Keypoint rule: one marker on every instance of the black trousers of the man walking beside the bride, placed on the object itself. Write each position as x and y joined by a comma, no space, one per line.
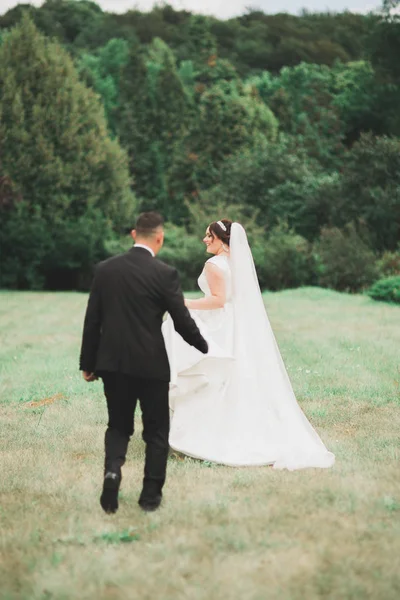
122,393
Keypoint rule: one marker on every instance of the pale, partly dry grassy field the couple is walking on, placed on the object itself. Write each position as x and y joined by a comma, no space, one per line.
222,533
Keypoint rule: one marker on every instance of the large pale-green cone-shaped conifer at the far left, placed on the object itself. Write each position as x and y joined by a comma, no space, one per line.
56,153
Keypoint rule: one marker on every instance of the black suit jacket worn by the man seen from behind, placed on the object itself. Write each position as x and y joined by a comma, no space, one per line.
122,330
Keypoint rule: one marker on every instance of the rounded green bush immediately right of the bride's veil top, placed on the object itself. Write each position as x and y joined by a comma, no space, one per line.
285,260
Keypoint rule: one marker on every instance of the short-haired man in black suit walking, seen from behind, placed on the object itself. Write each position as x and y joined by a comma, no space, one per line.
123,344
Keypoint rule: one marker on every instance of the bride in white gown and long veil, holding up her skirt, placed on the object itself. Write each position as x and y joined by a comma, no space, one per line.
236,406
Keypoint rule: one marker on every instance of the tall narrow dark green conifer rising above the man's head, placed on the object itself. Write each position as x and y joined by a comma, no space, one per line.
153,118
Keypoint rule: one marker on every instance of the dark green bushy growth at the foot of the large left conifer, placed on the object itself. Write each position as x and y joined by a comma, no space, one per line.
37,254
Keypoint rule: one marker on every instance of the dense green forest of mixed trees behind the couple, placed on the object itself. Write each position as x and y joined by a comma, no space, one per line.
290,124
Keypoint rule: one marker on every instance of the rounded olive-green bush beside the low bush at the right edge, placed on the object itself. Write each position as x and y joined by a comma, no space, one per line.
344,260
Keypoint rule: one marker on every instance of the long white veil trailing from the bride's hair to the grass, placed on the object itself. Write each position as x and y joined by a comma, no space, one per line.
260,374
